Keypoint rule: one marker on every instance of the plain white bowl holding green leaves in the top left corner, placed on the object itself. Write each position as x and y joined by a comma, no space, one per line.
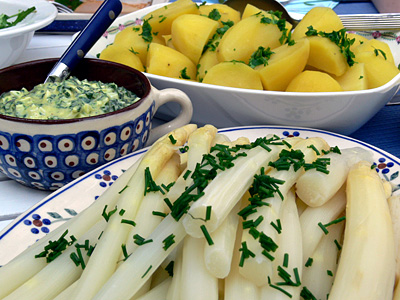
14,40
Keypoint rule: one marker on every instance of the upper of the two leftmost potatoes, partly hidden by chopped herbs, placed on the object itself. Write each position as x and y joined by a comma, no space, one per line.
131,38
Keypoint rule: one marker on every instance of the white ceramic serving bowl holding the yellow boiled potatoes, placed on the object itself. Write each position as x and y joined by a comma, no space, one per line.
342,112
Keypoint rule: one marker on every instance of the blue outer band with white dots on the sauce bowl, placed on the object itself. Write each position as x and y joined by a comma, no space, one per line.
48,161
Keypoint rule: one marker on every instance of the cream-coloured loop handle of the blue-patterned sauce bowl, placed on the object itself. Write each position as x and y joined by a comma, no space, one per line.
185,115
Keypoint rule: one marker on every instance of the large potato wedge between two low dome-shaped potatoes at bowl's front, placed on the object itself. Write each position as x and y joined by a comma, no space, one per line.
285,64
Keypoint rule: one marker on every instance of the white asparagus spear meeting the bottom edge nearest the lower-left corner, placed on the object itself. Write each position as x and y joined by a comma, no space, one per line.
59,273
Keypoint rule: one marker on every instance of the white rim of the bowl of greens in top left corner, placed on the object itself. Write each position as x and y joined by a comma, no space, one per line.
45,14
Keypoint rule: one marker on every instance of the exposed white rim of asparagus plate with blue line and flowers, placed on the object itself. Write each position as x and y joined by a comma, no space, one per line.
66,202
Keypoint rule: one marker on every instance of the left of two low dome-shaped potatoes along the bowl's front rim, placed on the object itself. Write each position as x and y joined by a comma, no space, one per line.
233,74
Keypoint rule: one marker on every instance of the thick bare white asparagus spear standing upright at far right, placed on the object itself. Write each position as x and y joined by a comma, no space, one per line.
367,263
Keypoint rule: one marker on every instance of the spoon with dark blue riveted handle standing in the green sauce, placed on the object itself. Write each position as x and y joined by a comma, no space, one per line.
91,33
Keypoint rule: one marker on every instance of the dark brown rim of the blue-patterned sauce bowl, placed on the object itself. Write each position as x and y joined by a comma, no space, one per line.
143,77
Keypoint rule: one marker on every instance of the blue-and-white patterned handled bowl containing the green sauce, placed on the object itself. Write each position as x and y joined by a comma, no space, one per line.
47,154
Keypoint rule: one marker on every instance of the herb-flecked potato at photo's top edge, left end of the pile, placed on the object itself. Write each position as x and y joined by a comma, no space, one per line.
161,19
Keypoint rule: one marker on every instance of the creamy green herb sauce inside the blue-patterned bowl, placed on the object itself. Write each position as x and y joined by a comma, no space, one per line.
69,99
